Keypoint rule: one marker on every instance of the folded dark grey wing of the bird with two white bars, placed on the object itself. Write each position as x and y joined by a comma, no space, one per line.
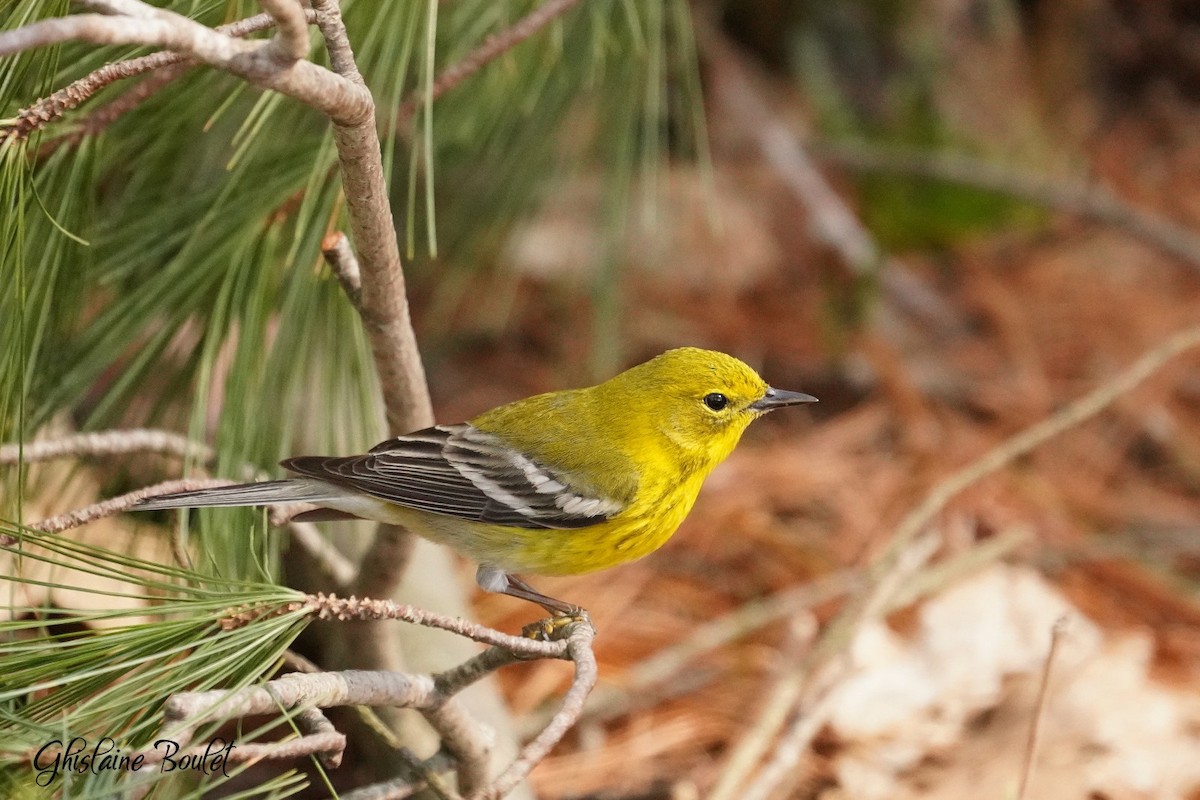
463,472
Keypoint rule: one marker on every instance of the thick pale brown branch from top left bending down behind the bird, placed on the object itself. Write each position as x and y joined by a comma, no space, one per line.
345,99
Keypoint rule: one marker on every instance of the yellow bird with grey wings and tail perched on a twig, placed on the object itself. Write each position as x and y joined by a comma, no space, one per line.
565,483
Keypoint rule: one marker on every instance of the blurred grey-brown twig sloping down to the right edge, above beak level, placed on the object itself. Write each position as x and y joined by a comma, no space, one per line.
1090,202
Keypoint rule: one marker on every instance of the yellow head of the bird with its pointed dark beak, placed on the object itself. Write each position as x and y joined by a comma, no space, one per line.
703,400
